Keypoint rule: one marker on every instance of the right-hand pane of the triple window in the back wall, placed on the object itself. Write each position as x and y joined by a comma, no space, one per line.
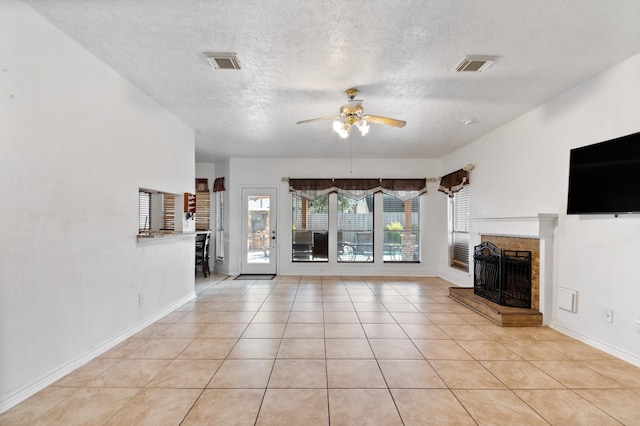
401,229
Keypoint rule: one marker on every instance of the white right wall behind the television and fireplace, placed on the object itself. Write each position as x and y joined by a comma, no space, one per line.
522,169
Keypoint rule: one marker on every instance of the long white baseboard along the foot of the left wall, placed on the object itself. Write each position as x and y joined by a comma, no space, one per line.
21,394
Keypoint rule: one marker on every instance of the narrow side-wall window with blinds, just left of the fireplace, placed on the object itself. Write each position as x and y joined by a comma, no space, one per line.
458,229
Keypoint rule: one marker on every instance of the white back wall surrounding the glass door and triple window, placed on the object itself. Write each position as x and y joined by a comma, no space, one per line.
266,172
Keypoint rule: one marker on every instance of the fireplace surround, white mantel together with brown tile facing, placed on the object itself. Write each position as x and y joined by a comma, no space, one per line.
533,233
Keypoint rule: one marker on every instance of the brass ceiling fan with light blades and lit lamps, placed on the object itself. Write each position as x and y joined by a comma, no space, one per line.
352,114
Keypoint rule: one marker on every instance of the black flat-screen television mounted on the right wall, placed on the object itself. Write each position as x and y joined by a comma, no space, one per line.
605,177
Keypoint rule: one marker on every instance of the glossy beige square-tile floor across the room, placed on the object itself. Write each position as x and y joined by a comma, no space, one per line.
339,351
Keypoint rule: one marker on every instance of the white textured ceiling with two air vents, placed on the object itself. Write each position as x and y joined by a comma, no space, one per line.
298,57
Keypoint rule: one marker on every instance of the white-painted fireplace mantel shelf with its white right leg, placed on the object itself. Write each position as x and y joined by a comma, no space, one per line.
541,227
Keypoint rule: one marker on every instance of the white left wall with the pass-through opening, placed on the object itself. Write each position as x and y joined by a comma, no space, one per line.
77,140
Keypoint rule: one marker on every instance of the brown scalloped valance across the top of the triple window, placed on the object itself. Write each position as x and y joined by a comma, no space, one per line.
402,189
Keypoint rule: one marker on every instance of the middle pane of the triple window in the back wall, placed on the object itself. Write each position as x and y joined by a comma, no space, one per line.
355,229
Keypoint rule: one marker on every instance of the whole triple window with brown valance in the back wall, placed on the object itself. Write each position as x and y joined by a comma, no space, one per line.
399,233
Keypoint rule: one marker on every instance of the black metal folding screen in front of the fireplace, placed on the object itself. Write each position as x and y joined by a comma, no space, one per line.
502,276
